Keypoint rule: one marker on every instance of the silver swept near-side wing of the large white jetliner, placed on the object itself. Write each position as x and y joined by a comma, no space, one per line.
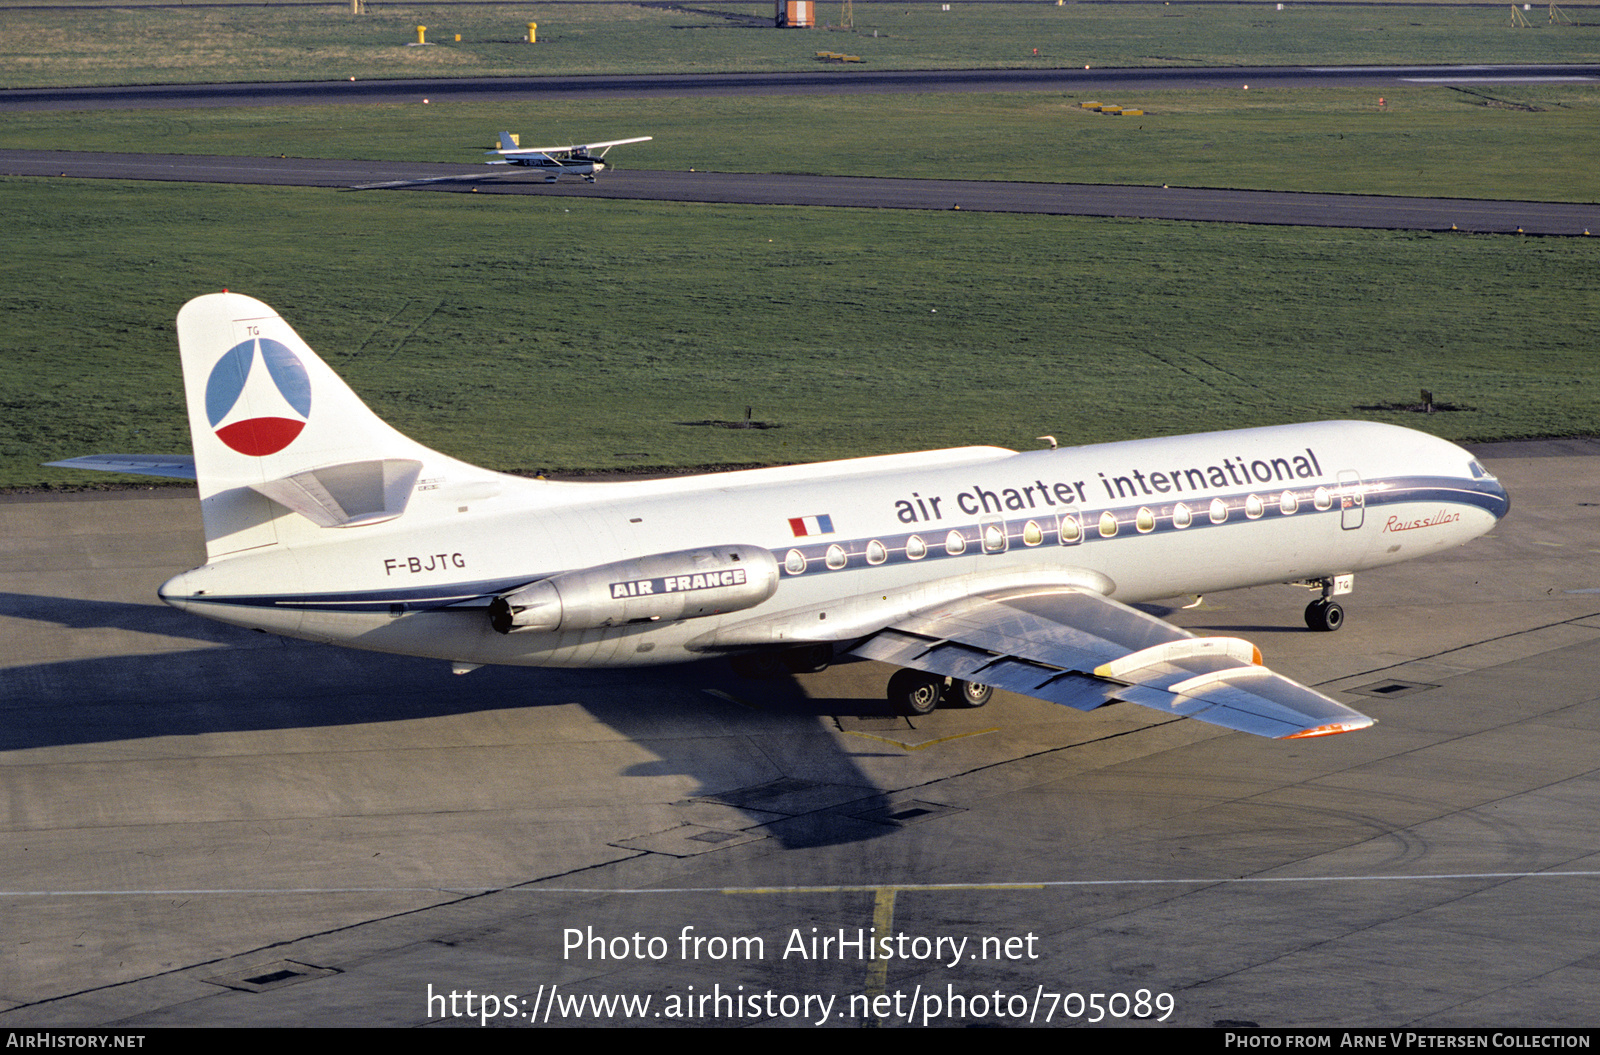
1081,649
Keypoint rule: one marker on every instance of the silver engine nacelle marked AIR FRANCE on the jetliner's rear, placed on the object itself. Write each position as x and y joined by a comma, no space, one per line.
660,588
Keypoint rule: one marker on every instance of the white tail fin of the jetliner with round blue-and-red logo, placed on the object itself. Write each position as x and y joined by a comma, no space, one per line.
284,449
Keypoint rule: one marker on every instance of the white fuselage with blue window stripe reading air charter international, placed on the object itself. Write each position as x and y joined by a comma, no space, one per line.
860,542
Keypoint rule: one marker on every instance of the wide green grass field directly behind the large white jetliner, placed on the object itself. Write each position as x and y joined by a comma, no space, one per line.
580,334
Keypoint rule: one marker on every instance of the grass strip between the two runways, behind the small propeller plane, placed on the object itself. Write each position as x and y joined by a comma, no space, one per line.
1482,142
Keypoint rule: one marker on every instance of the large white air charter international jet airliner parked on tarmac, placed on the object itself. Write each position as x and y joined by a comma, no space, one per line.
969,569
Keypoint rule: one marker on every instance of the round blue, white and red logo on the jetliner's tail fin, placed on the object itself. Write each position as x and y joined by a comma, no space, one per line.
278,404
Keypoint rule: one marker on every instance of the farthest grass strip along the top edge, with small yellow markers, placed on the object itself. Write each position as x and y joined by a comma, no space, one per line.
242,44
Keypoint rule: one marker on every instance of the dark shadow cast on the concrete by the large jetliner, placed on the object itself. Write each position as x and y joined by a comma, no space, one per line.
260,683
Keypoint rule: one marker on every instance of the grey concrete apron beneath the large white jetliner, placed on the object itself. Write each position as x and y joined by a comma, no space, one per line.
214,827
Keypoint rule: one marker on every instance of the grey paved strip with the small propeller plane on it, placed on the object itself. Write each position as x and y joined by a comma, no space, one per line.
1193,204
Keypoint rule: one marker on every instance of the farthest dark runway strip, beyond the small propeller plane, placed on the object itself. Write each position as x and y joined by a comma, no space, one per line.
809,82
